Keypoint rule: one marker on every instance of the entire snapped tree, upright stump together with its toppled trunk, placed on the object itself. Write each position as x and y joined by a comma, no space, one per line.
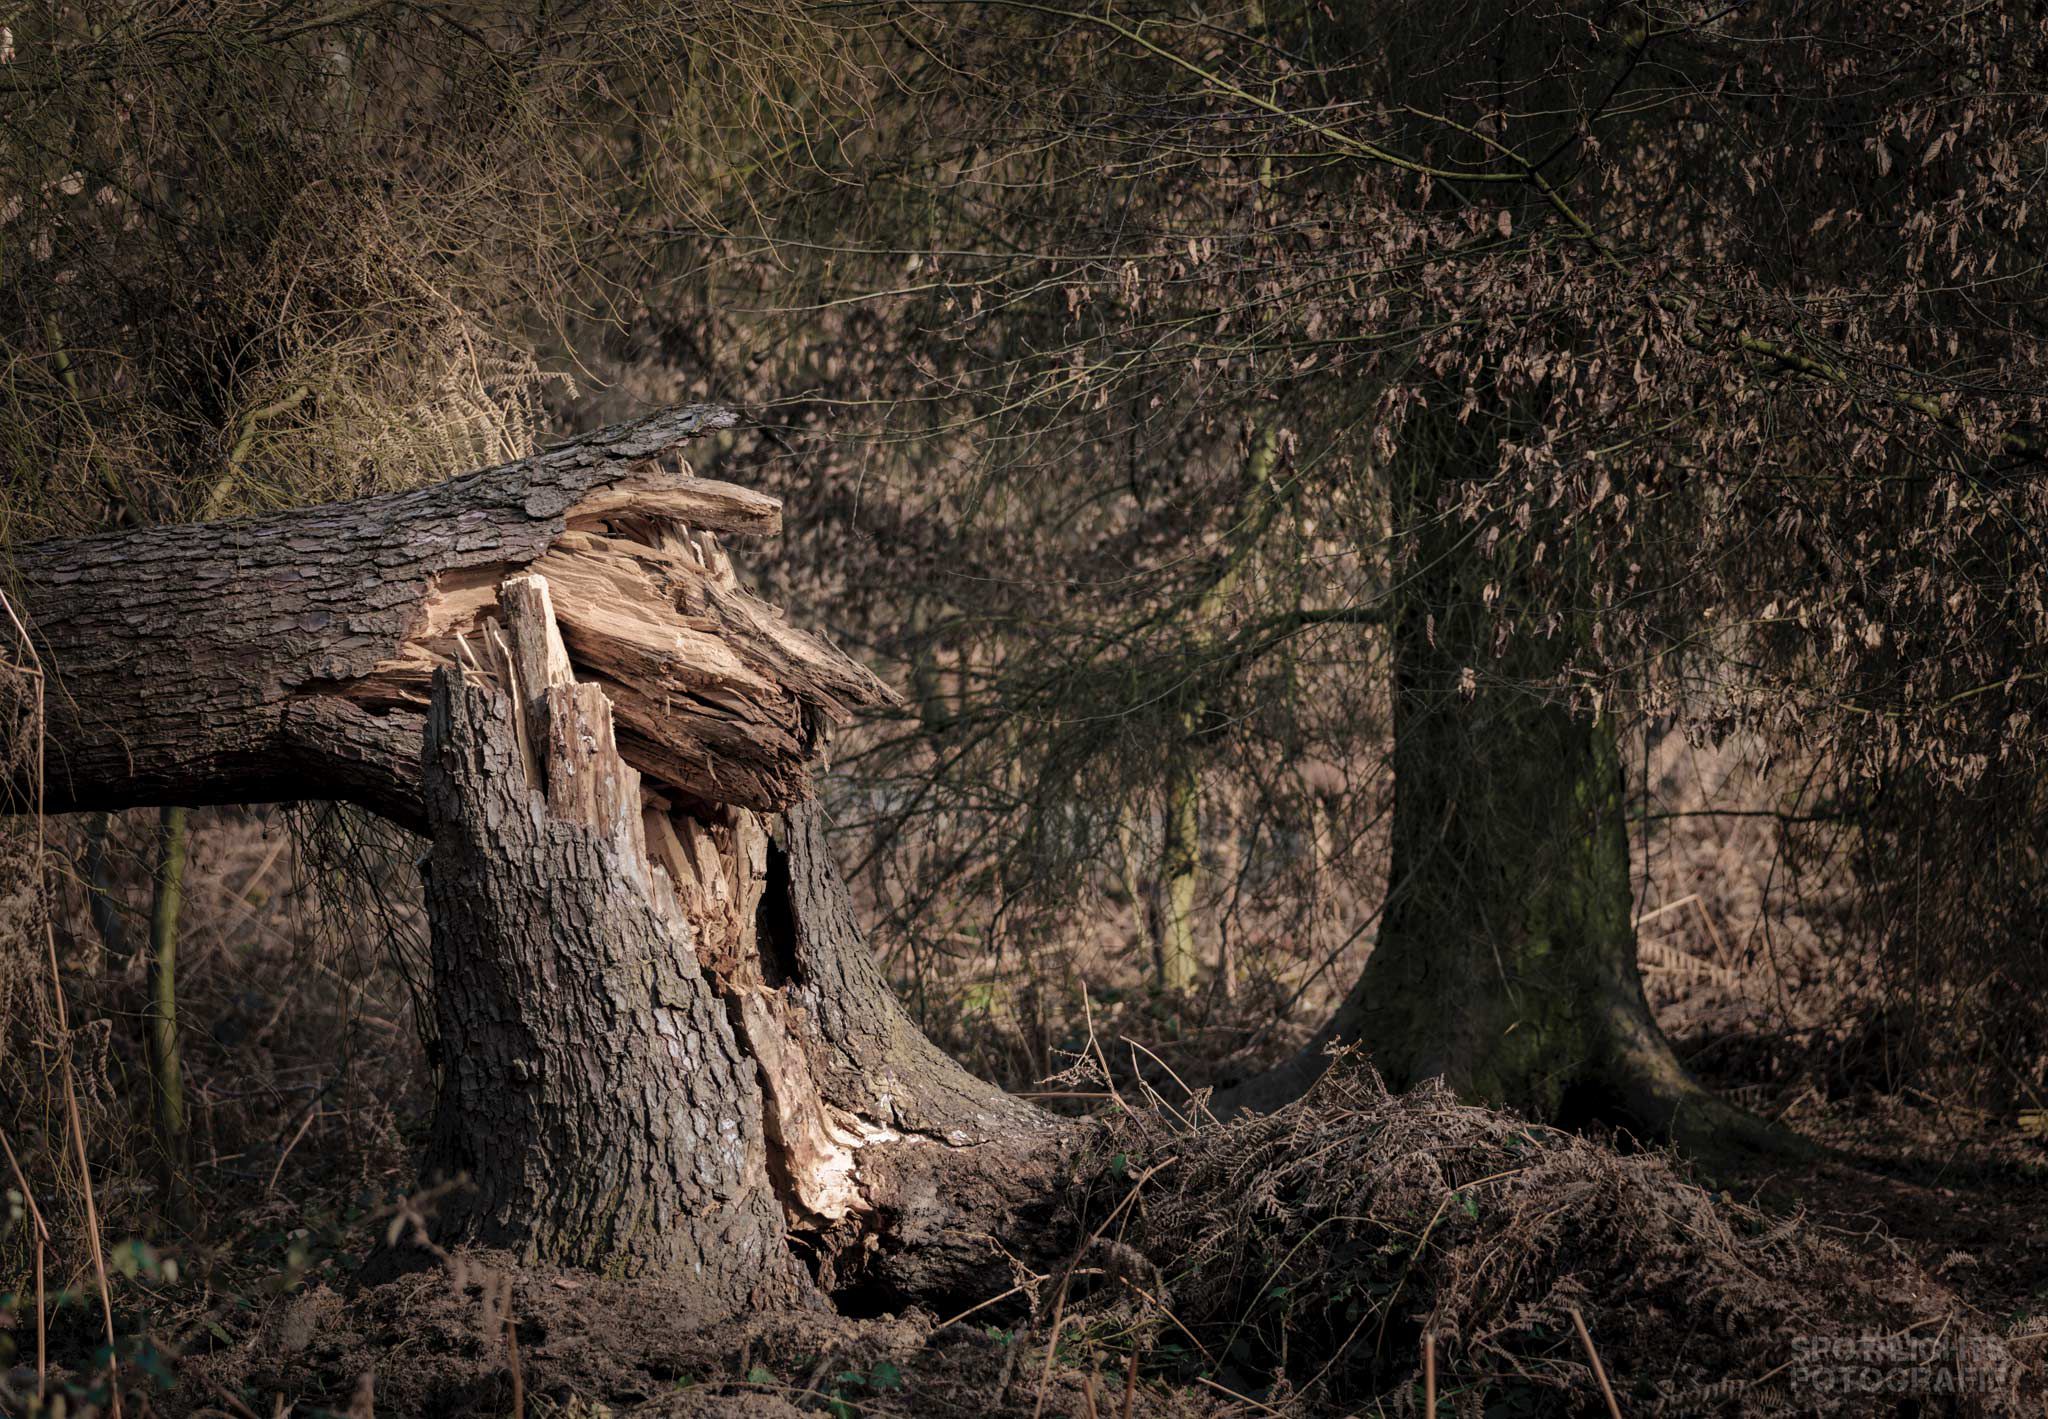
667,1045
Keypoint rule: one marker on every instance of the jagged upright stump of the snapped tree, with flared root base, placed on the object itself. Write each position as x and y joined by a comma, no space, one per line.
669,1047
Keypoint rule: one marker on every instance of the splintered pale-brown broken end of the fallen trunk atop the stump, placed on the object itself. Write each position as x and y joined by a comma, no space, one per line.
714,697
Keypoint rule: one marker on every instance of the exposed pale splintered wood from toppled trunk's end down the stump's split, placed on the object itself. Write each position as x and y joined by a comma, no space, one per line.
663,707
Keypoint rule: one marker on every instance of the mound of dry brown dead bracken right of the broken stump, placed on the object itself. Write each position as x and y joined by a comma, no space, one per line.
1328,1240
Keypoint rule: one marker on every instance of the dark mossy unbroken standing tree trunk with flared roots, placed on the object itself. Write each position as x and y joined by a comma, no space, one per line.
1506,959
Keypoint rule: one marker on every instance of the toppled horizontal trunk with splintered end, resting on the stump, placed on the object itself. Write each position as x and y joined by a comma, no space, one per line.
290,656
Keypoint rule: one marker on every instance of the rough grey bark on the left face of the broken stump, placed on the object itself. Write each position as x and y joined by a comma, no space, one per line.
593,1090
